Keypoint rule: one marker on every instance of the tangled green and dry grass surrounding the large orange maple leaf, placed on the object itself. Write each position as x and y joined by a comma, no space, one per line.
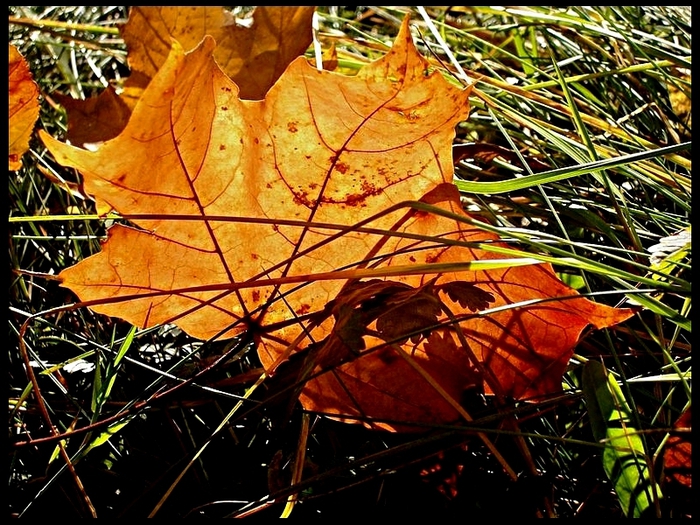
577,149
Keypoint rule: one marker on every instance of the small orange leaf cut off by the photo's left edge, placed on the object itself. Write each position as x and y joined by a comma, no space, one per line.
24,107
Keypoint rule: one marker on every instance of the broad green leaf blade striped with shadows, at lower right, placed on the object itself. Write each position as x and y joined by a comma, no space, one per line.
624,455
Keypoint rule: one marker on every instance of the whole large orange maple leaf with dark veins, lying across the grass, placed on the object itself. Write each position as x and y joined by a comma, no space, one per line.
265,216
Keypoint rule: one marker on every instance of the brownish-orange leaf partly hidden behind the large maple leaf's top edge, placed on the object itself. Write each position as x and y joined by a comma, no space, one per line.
254,57
